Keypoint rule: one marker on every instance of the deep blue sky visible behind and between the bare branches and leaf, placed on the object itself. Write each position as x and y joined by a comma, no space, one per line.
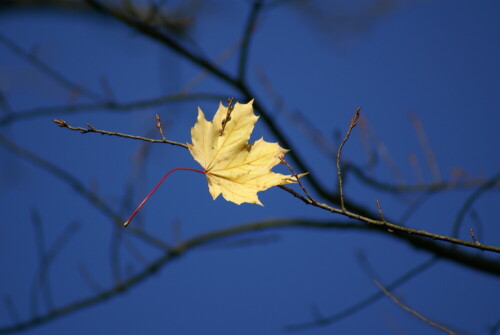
437,60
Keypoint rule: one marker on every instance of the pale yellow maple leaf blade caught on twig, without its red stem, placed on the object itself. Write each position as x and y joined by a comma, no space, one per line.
234,168
